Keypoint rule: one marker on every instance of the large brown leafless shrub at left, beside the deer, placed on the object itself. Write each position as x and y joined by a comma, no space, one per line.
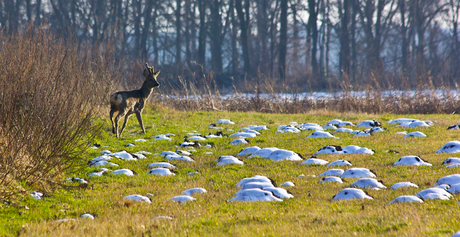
50,93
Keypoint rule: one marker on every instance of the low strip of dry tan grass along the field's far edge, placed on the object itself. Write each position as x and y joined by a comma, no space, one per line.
419,102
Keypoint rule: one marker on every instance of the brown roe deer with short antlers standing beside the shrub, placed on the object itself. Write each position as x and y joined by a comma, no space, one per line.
130,102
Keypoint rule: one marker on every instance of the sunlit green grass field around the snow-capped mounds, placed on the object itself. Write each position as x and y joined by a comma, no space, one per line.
311,212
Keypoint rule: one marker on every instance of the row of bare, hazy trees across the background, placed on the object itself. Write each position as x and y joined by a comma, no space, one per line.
312,44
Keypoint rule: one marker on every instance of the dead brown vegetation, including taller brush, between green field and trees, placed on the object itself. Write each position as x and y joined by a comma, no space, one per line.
266,97
